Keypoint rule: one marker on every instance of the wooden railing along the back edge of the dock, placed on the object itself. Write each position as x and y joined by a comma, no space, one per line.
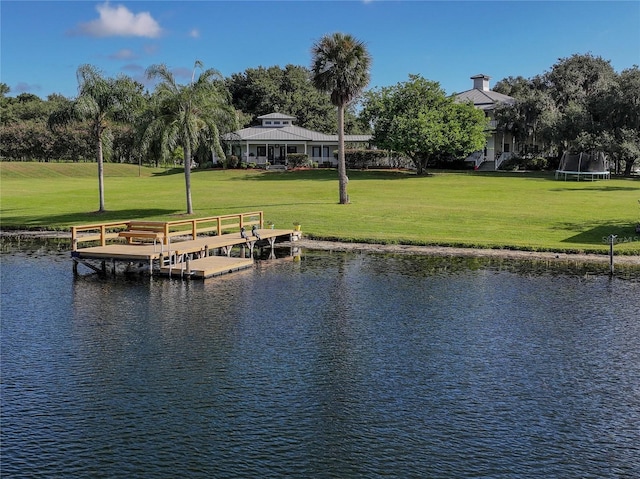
218,225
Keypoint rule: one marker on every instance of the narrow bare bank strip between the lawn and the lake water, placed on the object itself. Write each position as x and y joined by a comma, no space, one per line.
628,260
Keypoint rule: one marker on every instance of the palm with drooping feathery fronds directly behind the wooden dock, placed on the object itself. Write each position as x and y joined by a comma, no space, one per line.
189,115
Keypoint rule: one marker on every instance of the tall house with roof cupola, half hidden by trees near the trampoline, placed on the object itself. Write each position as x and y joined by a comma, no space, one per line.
499,145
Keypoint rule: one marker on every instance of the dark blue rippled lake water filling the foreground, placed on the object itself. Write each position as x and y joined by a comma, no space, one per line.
329,366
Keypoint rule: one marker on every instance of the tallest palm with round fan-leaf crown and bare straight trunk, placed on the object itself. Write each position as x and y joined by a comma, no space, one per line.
340,66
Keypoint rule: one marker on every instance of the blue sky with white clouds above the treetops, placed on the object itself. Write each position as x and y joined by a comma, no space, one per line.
44,42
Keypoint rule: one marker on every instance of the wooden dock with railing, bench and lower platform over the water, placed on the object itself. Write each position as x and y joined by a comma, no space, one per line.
201,248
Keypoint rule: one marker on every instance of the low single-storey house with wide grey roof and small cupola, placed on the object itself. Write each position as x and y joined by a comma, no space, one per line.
277,136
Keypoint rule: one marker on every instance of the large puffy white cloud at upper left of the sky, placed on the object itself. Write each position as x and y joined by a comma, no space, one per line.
119,21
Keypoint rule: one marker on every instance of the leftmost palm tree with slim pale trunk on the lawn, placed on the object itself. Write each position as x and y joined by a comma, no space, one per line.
100,101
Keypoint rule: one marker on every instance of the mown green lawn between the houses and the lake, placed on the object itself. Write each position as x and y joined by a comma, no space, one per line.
522,211
